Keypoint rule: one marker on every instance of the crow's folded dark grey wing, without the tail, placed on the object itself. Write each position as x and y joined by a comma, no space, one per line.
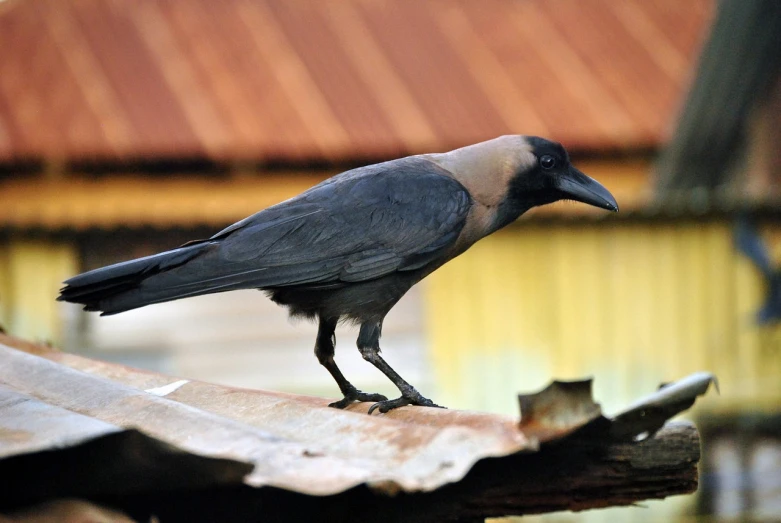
396,216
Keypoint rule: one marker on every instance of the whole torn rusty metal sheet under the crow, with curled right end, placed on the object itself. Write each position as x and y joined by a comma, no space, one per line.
292,442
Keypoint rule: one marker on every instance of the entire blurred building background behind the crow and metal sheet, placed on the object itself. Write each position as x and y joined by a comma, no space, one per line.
131,127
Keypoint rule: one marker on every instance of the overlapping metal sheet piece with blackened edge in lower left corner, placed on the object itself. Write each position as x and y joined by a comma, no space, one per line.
52,453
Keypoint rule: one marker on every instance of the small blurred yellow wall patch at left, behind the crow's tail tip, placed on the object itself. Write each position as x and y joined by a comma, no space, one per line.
31,273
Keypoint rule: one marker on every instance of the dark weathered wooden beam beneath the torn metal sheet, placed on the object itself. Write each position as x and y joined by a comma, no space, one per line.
573,474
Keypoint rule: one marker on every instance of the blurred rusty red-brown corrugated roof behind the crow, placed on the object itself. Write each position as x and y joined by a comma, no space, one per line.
299,80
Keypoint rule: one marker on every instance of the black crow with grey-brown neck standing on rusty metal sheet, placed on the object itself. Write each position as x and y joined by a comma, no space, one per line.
347,249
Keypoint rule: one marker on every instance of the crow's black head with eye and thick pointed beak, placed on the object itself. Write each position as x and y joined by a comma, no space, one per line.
546,176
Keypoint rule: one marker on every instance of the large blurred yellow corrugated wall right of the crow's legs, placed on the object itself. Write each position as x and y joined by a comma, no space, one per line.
631,303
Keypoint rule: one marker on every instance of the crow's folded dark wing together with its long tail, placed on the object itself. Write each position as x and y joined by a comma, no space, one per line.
359,226
